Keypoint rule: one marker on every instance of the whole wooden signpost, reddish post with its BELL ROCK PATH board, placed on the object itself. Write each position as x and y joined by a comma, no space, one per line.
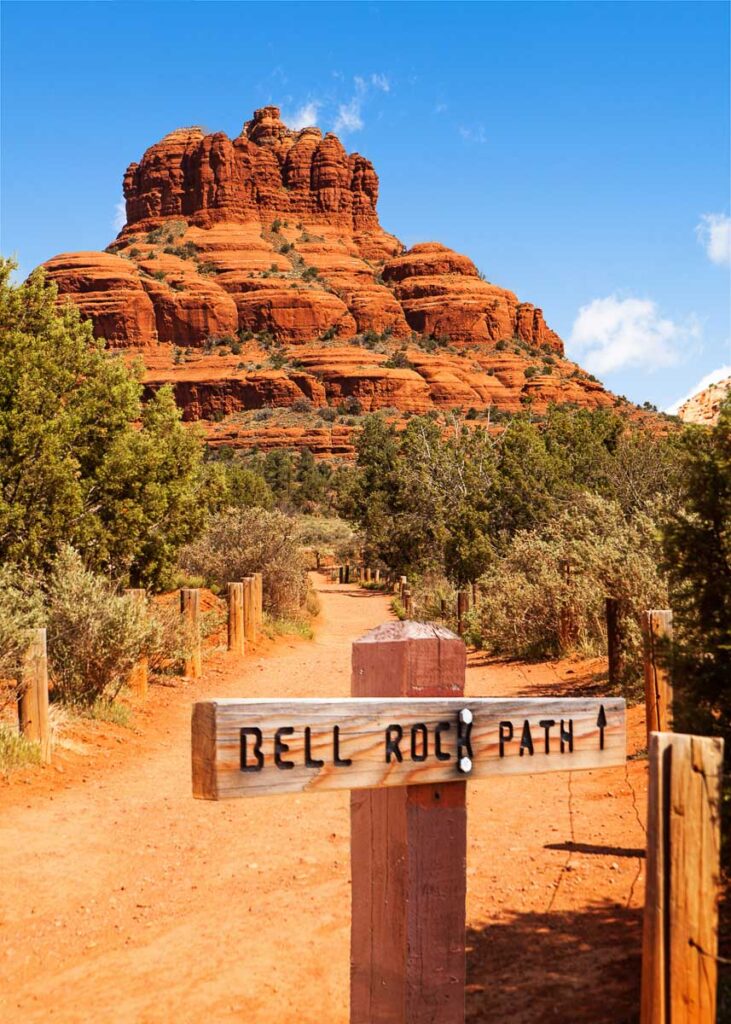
406,744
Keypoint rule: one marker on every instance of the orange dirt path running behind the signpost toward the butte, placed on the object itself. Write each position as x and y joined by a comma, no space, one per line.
122,900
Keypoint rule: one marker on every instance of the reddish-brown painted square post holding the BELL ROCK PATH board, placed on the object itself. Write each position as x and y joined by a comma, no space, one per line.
408,850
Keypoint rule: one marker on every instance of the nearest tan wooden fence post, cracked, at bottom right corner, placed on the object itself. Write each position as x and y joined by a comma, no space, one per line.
680,936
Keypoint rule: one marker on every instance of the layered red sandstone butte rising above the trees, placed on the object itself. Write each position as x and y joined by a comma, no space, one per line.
253,274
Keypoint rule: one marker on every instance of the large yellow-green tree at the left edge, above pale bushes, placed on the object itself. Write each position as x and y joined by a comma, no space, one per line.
82,460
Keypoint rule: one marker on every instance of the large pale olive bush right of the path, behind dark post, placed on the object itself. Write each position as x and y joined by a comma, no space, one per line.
546,595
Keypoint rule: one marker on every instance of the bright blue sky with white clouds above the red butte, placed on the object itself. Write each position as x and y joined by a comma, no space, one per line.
578,152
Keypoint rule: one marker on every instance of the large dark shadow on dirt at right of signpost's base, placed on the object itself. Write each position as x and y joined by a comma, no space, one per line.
577,967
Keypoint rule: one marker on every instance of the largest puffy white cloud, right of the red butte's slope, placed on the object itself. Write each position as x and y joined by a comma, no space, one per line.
615,334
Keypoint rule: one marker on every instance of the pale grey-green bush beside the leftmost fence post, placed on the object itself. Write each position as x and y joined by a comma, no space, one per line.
96,635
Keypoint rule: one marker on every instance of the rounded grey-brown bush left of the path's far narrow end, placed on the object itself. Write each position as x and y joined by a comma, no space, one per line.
240,542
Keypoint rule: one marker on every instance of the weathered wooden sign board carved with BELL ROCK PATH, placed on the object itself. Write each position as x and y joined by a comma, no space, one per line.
251,748
